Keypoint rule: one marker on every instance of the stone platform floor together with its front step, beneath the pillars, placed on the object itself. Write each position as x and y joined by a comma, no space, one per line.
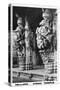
32,75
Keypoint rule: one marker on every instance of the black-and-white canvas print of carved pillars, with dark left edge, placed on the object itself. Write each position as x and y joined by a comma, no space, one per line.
32,45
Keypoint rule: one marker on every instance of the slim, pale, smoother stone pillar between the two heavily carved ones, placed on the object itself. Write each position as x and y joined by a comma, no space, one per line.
28,48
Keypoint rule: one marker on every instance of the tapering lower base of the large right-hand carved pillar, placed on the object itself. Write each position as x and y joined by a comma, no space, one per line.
49,60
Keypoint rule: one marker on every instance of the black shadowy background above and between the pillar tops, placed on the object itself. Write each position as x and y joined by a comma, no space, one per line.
34,16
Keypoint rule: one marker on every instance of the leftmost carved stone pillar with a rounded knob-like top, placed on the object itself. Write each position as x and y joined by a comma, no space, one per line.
18,44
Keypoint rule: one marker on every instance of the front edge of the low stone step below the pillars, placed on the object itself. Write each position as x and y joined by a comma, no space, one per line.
34,77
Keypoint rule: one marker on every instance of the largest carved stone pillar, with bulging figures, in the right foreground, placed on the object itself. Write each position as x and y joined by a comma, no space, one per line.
46,38
